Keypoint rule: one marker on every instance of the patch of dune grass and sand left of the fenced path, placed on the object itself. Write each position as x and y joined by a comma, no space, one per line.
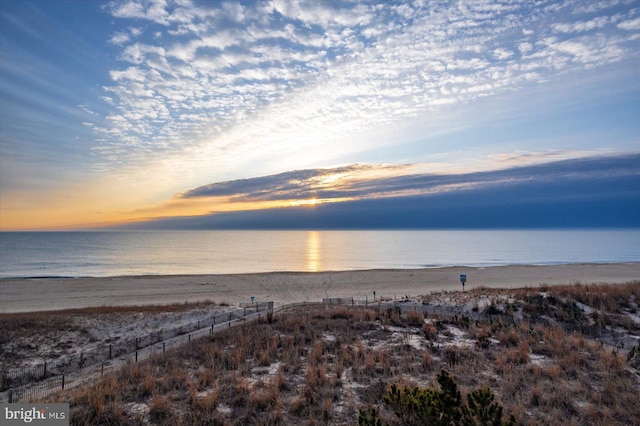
28,339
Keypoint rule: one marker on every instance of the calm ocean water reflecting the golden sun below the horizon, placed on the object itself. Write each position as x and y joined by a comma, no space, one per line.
76,254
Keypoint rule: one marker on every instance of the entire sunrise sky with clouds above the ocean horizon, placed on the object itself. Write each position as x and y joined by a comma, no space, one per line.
161,114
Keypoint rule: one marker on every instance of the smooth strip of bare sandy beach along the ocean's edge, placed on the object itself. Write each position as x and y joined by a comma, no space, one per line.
25,295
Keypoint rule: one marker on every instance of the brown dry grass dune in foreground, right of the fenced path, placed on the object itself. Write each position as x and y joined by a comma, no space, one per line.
319,365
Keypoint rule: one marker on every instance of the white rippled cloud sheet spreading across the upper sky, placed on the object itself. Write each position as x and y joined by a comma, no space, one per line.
272,78
